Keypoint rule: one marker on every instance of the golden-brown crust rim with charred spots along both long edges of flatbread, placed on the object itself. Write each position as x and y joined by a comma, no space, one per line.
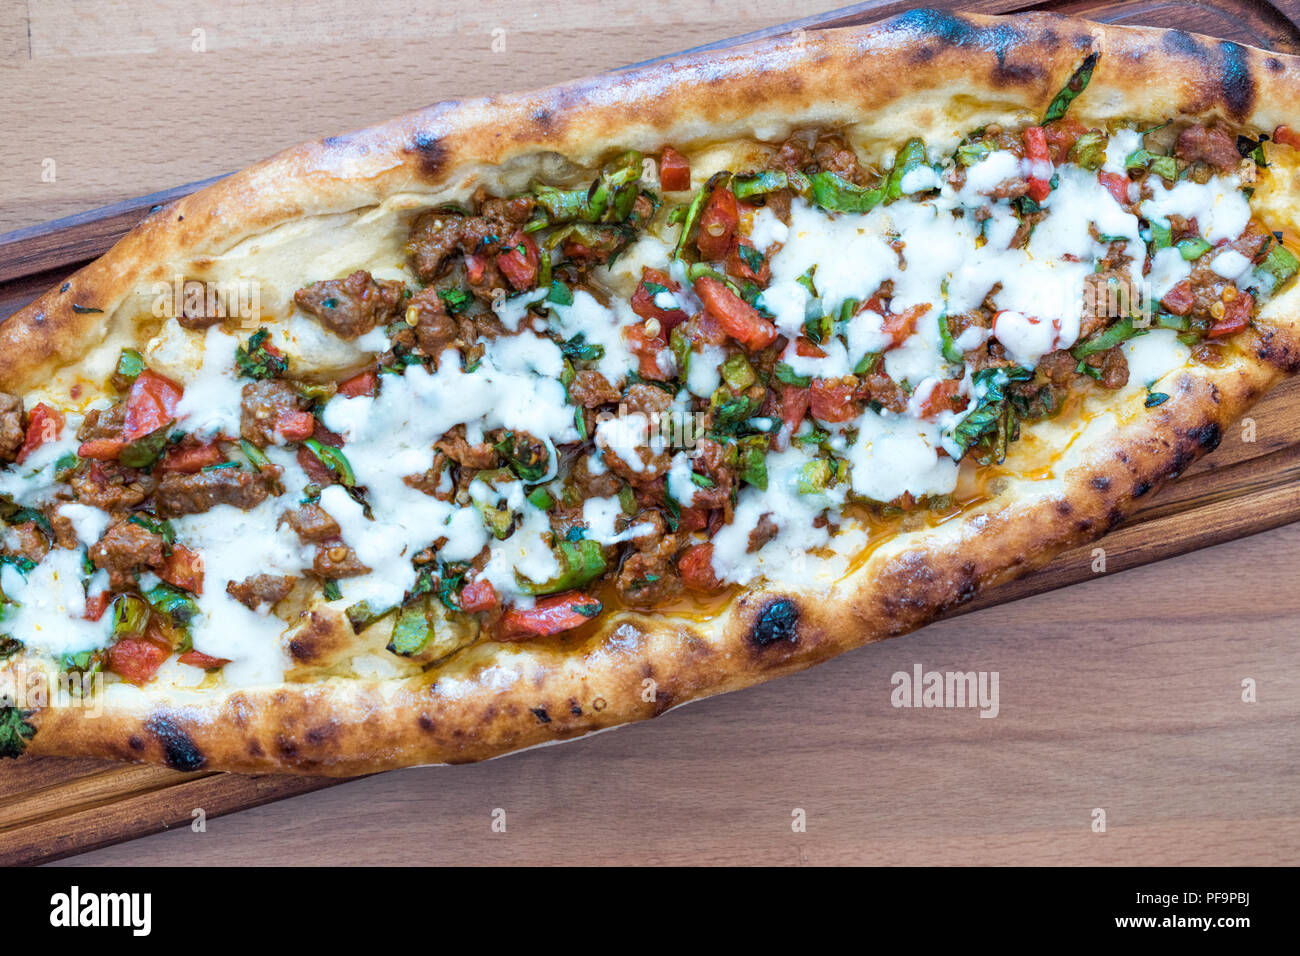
922,71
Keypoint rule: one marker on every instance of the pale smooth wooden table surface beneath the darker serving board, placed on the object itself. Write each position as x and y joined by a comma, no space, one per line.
1124,694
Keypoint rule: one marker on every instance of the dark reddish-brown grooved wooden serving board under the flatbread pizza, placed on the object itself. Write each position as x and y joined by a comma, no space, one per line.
51,808
